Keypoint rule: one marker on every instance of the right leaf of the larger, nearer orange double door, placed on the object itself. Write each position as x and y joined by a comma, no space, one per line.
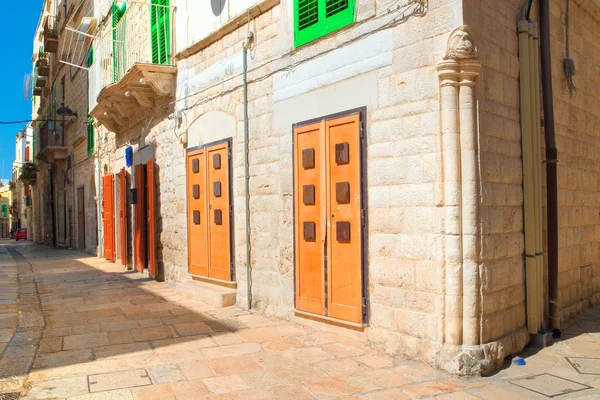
344,247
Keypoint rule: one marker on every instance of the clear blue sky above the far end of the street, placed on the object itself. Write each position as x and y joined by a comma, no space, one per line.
16,49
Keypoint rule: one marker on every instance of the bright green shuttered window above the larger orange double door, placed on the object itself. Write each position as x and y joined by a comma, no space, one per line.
316,18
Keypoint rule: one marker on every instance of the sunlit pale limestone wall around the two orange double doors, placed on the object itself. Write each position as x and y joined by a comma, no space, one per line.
390,71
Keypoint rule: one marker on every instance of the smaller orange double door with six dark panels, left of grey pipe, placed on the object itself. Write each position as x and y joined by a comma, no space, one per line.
209,212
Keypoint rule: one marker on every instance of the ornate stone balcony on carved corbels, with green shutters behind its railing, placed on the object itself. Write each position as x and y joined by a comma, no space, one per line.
133,69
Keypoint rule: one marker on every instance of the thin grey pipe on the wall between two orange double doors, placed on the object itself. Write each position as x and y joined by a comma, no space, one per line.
245,49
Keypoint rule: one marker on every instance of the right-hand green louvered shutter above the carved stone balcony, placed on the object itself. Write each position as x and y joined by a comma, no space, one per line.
160,32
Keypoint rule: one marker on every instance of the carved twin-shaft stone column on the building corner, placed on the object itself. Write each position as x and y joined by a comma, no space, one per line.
458,76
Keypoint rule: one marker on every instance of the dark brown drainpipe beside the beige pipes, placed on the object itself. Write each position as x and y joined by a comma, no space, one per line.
551,172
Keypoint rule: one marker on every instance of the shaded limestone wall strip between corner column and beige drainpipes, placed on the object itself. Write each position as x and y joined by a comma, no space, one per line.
502,249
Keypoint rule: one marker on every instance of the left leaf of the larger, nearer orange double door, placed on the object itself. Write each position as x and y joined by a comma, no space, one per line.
309,217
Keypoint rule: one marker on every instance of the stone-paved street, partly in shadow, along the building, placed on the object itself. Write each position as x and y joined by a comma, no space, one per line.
78,327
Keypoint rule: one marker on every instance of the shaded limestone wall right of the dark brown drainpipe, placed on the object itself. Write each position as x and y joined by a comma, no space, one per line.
577,120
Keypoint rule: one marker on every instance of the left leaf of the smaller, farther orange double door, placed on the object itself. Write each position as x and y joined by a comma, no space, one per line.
197,211
